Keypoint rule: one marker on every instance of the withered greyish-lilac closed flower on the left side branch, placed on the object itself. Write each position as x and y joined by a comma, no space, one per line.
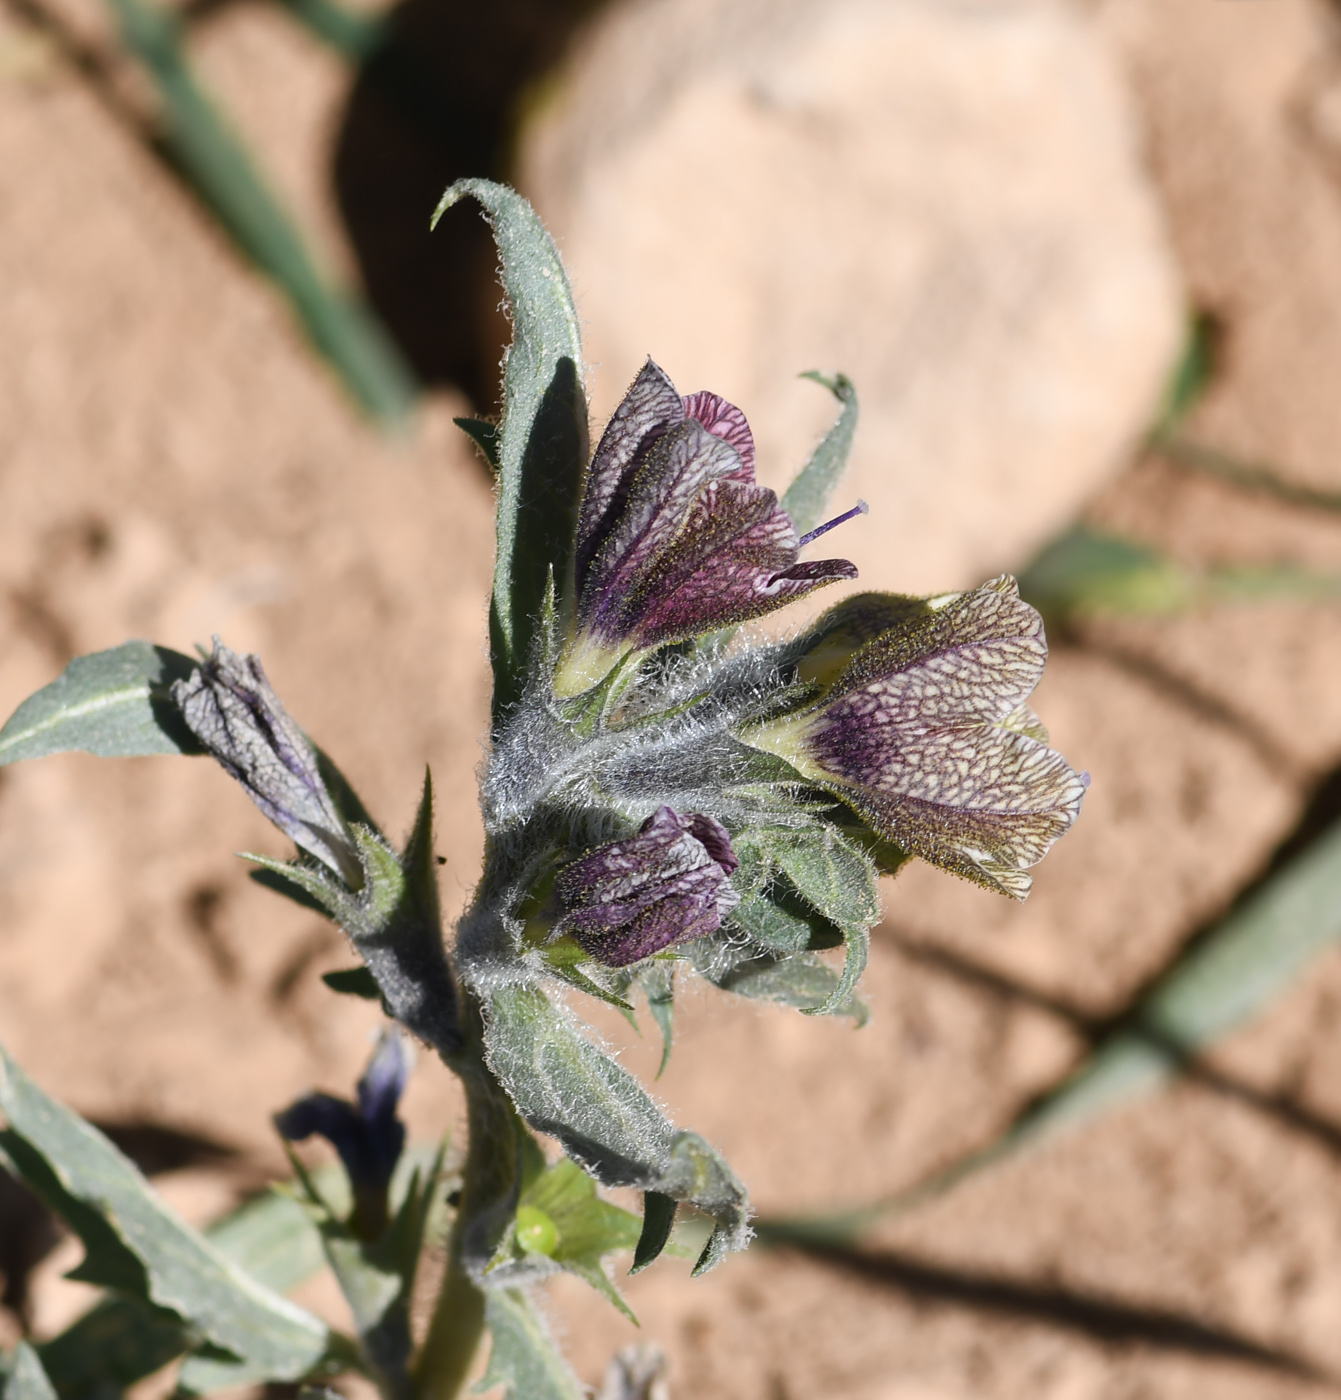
230,708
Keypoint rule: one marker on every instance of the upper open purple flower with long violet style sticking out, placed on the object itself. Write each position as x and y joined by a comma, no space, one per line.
675,538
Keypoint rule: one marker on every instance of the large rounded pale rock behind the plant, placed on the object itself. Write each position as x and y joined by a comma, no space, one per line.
941,198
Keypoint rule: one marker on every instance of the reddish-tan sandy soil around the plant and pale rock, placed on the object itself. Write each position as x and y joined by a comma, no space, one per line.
174,463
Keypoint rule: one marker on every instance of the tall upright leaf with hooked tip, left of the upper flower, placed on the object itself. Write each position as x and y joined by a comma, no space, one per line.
542,439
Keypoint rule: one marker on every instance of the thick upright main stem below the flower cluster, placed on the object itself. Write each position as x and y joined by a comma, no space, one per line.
491,1185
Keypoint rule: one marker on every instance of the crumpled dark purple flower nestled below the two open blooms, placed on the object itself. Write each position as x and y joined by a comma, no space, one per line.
635,898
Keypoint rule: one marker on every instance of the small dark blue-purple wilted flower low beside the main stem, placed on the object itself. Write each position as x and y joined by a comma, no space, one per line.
367,1135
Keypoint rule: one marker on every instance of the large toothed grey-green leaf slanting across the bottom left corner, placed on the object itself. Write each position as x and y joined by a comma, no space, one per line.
136,1245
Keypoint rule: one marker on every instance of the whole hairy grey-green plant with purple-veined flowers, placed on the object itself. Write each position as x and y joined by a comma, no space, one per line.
666,799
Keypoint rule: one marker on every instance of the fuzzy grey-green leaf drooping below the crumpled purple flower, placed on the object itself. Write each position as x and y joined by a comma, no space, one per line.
605,1121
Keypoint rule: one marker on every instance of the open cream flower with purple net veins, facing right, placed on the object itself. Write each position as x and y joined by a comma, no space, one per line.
922,727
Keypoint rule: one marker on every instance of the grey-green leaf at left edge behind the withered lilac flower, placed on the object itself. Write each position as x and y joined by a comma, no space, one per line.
113,703
